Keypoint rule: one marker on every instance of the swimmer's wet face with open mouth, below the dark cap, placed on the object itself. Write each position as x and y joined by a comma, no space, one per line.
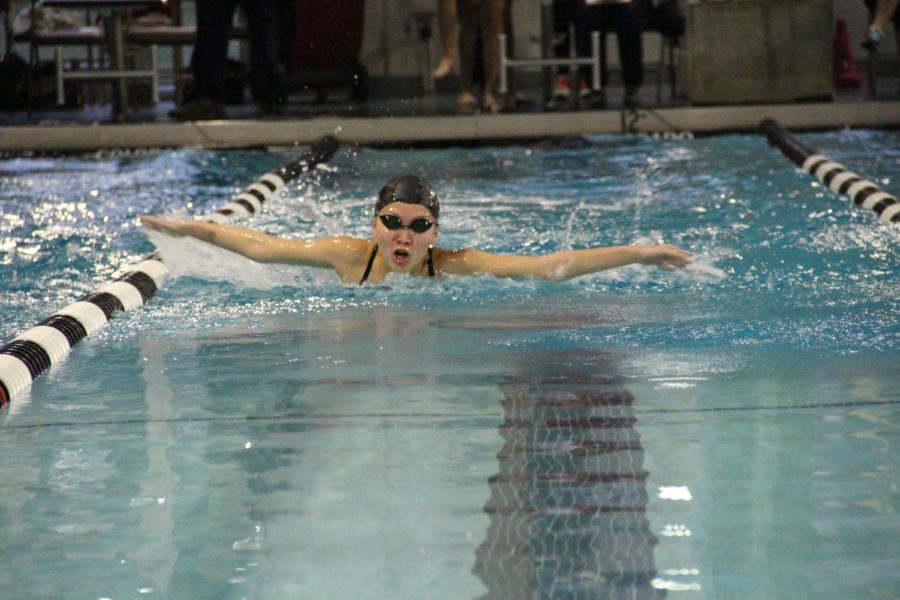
403,249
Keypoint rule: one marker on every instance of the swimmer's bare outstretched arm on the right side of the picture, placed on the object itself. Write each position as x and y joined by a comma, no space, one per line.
560,266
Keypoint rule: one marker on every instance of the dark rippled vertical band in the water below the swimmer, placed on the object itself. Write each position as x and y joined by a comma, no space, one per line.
567,507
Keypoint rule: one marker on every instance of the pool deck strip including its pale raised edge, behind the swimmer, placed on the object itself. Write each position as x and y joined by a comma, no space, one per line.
424,121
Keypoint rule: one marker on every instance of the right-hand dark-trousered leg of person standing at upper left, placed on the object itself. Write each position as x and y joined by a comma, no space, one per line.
266,77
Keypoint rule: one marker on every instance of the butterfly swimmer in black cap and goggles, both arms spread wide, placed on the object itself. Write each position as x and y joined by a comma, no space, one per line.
404,233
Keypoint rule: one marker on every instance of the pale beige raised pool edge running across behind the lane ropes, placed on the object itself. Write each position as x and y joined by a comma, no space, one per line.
424,130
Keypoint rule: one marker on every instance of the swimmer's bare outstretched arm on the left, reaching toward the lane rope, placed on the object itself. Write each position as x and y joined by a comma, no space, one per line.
339,253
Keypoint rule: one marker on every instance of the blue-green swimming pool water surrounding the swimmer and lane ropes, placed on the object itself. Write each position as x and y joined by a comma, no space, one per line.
728,431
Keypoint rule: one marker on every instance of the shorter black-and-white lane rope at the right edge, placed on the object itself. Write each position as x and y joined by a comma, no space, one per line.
836,177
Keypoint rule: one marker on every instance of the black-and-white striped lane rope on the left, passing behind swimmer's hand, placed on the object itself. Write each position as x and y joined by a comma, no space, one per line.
49,342
